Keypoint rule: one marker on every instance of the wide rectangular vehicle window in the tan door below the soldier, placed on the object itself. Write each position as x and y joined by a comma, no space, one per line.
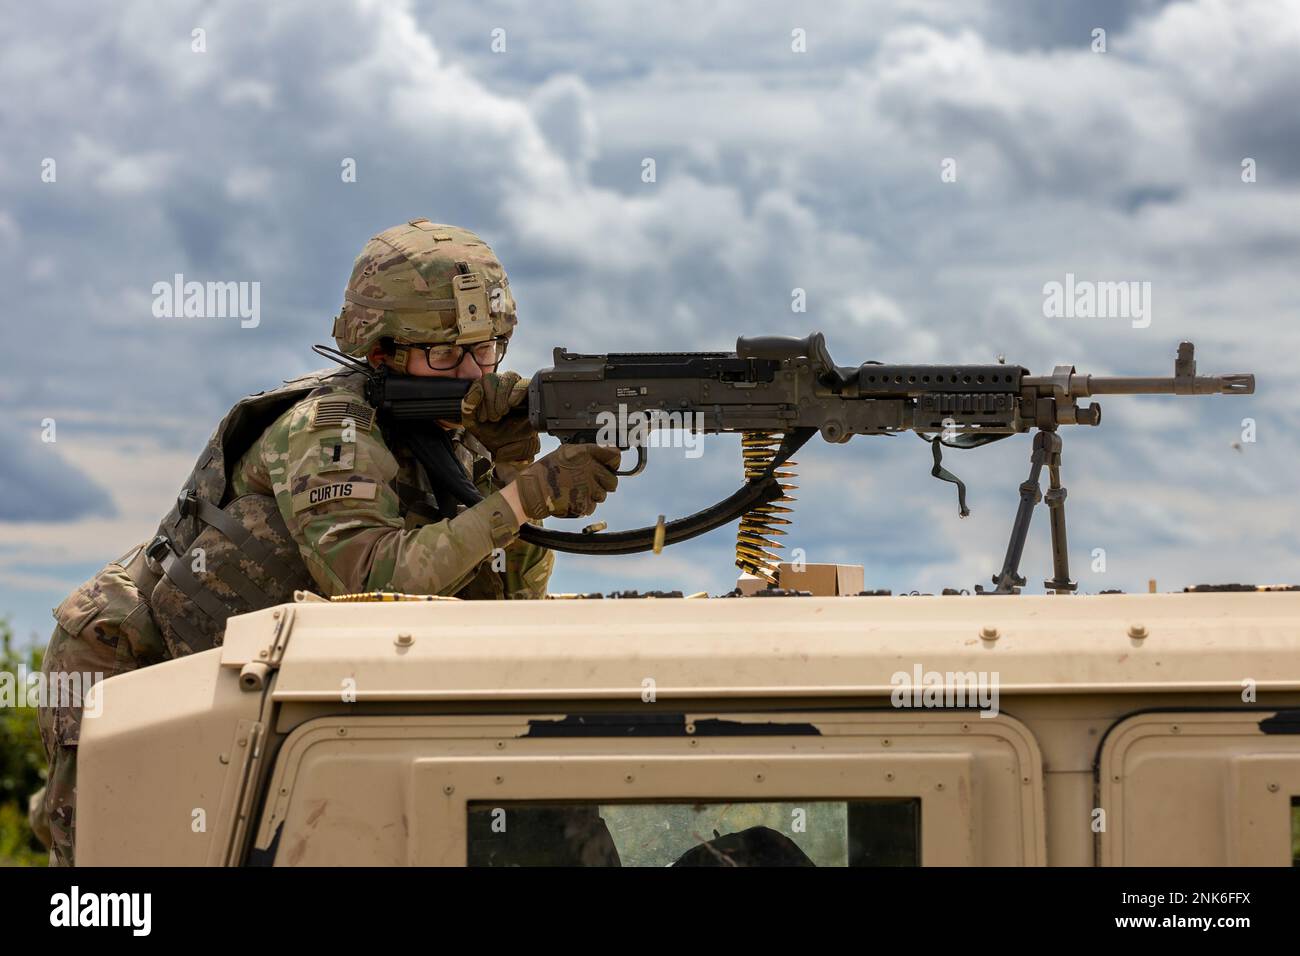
792,833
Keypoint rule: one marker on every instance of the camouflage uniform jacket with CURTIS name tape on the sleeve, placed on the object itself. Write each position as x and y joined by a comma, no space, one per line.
361,509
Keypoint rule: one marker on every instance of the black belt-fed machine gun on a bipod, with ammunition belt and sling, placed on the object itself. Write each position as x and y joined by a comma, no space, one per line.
777,392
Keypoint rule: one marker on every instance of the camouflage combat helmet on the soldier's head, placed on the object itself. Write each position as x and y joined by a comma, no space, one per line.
424,284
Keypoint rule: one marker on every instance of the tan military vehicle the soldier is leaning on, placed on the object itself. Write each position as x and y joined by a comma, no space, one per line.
943,730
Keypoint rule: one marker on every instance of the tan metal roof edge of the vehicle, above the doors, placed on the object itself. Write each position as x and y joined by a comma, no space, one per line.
821,647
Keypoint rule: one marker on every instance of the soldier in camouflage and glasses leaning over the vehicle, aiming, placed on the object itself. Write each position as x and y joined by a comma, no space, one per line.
304,487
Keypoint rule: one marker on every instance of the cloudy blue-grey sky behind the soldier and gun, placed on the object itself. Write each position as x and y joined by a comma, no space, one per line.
777,168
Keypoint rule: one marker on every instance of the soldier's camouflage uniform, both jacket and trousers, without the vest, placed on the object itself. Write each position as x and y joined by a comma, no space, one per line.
359,514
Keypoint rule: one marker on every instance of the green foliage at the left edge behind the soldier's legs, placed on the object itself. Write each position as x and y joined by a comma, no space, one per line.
23,763
